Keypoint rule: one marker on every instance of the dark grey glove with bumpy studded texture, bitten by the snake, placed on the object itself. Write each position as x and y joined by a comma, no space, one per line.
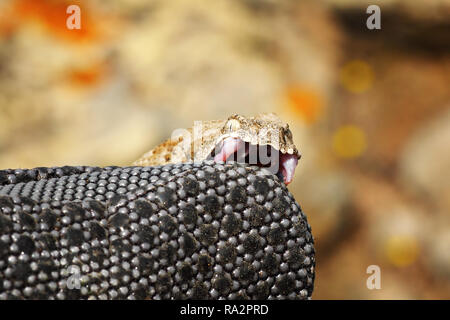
187,231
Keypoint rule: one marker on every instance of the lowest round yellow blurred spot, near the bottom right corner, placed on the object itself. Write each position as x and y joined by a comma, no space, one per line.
402,250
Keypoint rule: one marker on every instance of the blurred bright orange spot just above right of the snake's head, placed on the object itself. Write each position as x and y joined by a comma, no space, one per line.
306,102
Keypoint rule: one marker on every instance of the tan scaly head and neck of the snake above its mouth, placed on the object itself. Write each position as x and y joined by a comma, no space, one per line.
197,143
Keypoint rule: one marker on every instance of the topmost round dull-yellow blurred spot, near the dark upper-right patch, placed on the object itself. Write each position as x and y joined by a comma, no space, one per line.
357,76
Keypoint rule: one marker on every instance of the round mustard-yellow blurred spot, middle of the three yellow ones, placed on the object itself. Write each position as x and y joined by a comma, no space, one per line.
349,142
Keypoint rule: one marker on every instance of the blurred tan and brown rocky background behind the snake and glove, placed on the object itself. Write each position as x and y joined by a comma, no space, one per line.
369,110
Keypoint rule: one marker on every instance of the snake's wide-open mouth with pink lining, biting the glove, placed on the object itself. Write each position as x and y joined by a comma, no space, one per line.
235,149
